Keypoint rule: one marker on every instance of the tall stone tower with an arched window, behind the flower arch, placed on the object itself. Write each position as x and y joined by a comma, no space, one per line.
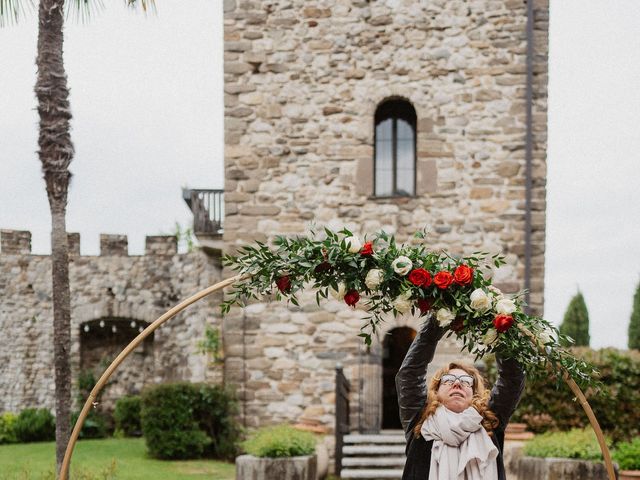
376,114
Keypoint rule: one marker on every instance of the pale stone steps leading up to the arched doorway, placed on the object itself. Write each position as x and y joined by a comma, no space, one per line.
374,456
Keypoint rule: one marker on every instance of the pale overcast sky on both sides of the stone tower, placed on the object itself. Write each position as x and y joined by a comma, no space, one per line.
146,96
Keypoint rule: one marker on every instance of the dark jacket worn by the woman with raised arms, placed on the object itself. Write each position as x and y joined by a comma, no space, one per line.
411,385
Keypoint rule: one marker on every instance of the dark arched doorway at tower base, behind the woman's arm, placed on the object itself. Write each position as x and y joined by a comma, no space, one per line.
395,347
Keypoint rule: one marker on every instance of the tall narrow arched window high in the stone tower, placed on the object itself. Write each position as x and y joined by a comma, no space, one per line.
395,149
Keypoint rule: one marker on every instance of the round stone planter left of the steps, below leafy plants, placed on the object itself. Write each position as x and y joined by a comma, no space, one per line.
249,467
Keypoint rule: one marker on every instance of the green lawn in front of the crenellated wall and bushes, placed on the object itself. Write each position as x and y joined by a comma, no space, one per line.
110,459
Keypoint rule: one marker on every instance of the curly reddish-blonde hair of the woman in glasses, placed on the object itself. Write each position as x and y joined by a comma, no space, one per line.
479,401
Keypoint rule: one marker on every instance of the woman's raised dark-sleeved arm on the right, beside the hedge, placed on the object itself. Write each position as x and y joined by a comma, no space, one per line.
507,391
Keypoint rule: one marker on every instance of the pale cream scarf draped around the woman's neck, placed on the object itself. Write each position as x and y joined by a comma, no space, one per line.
462,448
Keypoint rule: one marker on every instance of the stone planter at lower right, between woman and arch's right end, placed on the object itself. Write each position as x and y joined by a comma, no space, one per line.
564,468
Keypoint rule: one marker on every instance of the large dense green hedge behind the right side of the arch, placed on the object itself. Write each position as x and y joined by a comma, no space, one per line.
544,407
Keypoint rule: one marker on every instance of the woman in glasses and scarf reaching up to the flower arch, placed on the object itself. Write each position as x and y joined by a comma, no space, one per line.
455,430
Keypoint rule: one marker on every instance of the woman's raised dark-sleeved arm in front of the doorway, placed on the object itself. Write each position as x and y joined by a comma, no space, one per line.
411,384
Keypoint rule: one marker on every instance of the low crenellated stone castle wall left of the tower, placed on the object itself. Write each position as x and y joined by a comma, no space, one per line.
114,289
